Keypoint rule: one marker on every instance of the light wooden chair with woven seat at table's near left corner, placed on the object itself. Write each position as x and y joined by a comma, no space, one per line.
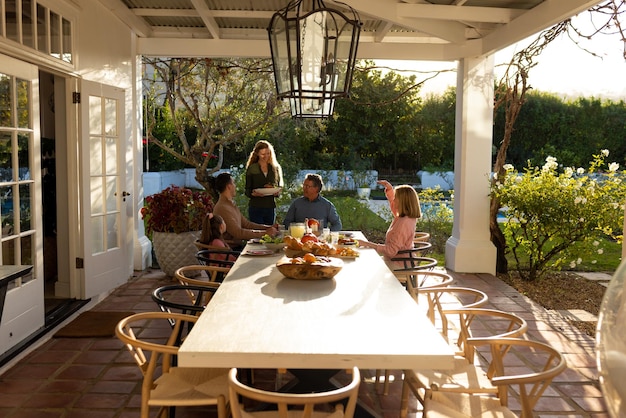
165,385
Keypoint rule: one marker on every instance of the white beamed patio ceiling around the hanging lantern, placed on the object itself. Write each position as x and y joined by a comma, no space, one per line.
442,30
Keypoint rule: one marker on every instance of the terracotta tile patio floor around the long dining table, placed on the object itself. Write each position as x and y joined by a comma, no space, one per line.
89,377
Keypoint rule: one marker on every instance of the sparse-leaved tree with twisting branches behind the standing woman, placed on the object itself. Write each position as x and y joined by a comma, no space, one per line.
210,105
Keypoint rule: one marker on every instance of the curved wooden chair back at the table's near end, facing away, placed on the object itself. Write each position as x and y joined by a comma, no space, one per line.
294,405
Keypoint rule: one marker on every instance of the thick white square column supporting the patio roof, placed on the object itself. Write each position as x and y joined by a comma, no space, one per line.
469,249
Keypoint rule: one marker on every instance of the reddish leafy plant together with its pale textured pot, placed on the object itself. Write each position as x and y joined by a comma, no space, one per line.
173,220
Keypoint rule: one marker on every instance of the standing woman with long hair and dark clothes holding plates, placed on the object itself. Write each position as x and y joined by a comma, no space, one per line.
262,170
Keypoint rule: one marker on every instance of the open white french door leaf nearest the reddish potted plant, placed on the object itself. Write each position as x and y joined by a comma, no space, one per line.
104,216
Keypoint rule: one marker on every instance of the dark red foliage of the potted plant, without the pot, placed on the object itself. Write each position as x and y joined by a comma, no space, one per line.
176,209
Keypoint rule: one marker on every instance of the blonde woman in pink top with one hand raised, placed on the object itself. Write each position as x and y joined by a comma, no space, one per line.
405,207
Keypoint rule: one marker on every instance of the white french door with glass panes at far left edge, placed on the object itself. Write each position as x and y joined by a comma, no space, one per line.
20,199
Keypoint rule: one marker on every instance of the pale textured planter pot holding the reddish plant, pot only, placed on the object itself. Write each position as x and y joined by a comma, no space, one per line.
175,250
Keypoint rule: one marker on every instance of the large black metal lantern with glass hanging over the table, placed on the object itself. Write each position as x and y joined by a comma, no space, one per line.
313,55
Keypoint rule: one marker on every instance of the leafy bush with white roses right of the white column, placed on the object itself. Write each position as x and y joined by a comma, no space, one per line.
550,208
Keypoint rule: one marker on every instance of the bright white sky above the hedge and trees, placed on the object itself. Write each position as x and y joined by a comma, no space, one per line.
563,68
